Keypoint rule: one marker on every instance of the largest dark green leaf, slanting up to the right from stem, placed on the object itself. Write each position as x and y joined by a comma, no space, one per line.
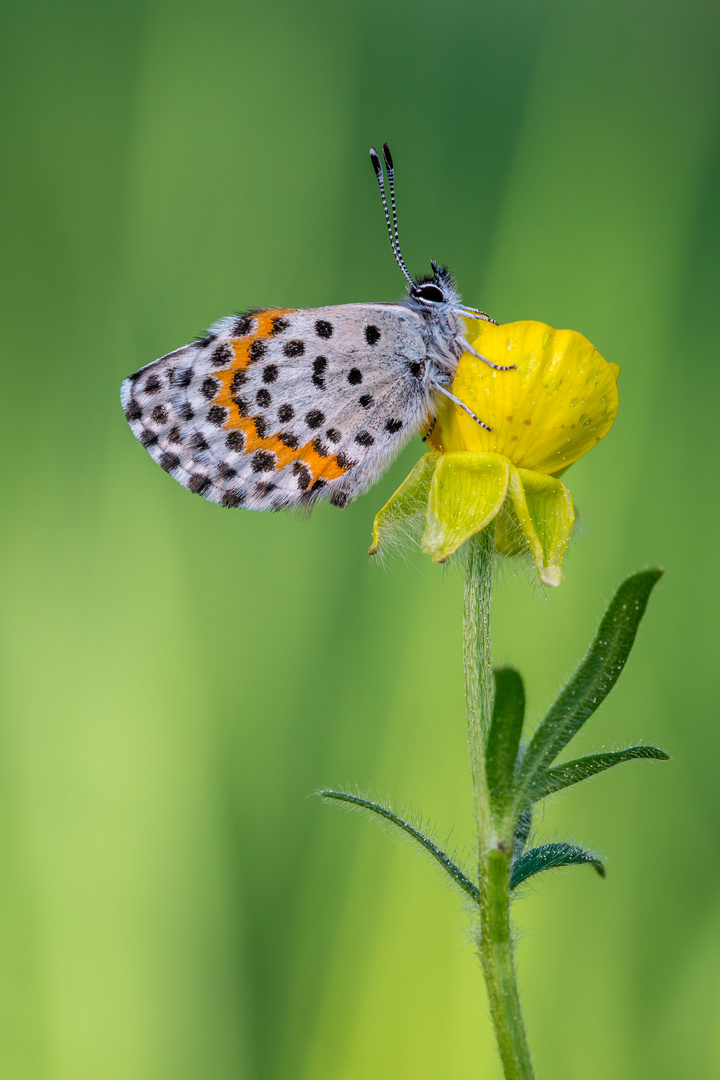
593,681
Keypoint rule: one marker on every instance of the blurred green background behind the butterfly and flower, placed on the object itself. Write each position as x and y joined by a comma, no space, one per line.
178,679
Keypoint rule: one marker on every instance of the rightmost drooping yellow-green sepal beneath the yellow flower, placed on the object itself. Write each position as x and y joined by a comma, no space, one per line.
545,511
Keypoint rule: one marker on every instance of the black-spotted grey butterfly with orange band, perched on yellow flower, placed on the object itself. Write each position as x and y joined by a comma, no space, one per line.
277,409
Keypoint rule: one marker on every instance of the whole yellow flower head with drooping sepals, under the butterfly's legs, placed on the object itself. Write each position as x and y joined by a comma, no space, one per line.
559,402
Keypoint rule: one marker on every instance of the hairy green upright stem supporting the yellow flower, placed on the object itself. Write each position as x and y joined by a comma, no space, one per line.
495,831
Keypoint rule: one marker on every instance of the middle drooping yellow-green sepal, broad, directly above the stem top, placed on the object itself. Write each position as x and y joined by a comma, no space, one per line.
467,493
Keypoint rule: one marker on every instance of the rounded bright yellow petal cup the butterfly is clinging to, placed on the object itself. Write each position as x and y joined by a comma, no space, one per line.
556,406
